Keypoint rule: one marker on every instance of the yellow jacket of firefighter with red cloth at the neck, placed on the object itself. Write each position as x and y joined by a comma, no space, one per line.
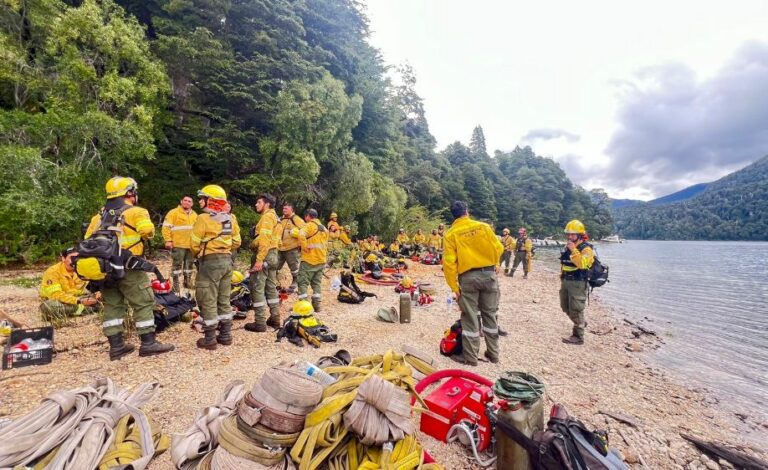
209,234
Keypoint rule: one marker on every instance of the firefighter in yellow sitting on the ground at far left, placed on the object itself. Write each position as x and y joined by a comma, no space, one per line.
63,293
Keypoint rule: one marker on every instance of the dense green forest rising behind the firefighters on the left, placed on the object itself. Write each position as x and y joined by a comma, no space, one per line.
280,96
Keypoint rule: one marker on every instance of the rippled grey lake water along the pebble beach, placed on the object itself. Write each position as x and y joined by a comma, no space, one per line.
708,301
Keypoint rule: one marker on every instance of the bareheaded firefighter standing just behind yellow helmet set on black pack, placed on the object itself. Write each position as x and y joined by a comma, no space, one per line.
312,238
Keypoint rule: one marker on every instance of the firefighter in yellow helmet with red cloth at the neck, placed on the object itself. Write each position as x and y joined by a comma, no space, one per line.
215,235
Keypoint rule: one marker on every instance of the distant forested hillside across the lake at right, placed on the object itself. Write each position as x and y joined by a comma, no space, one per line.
732,208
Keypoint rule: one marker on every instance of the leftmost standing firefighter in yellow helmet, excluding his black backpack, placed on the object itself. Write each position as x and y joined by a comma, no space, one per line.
134,288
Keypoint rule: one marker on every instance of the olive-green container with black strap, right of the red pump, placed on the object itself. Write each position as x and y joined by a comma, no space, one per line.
527,418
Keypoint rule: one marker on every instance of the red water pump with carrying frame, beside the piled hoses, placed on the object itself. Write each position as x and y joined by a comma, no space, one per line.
457,409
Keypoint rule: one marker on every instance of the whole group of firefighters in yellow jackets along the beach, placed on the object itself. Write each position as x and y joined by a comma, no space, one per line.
470,250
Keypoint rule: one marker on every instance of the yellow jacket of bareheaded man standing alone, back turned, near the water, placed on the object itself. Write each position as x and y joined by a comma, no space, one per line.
469,244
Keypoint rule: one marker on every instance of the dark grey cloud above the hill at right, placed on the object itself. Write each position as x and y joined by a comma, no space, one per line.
674,130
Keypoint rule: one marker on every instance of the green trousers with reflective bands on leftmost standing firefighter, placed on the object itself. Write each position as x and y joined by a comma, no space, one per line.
135,290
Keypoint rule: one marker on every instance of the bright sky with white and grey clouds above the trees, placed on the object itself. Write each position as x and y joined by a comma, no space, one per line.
639,98
